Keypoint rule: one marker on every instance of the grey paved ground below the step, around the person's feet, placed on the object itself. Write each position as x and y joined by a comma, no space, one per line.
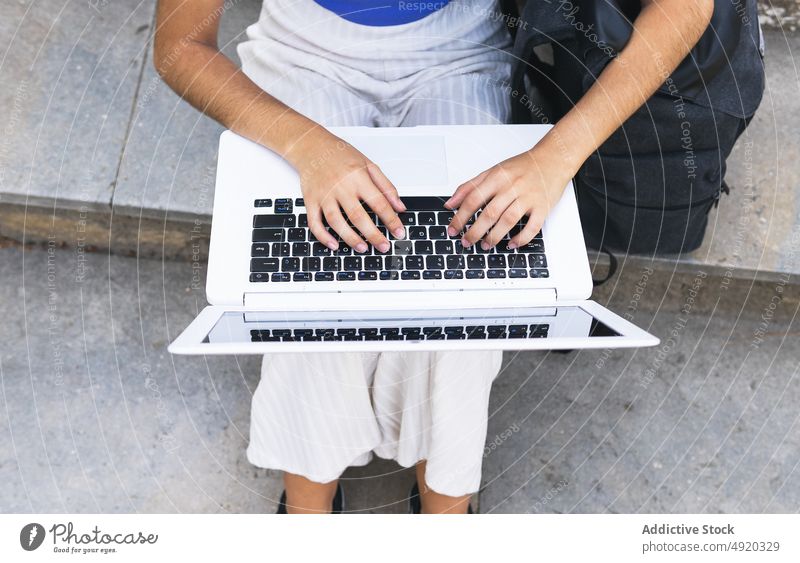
96,416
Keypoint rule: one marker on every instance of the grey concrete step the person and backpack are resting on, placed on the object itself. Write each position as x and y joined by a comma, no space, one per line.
99,154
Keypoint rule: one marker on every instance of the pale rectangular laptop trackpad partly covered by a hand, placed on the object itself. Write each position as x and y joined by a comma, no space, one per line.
407,160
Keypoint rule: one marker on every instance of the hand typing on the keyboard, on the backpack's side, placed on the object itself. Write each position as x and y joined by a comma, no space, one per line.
529,184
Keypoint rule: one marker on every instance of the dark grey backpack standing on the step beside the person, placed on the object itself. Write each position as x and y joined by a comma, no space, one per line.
648,188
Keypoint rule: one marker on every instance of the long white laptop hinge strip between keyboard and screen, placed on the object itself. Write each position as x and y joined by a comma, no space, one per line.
400,300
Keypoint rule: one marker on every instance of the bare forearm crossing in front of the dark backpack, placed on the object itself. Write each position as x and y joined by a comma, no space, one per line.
664,33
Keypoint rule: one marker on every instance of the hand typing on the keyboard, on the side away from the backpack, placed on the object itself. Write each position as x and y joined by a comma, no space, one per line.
335,179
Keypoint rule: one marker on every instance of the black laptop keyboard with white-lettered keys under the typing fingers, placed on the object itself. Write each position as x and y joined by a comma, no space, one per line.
284,249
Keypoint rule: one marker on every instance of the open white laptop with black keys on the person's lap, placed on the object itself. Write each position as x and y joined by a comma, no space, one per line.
273,288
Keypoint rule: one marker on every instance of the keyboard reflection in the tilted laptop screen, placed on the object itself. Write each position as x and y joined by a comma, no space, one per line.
420,332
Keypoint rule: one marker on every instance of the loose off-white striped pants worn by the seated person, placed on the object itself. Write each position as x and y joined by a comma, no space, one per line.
316,414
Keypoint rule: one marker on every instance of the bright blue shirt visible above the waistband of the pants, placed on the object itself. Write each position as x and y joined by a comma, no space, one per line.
382,12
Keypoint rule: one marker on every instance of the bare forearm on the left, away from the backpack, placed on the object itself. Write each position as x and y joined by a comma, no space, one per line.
213,84
